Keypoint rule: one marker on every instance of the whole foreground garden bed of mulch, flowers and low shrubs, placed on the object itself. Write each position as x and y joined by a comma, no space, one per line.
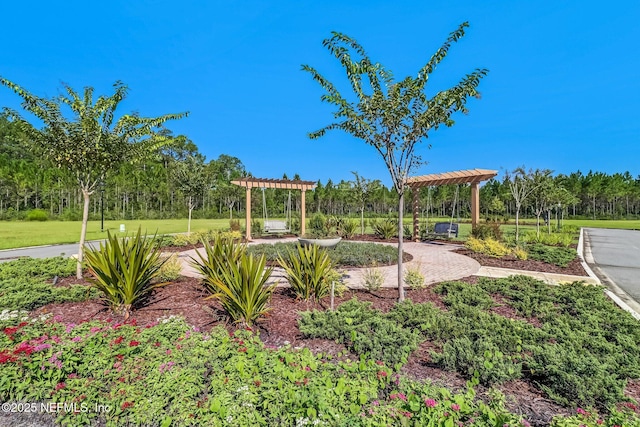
552,351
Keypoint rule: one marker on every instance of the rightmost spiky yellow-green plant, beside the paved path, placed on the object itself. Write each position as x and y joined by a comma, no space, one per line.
307,270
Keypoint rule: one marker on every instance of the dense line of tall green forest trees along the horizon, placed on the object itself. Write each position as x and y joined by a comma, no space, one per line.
151,189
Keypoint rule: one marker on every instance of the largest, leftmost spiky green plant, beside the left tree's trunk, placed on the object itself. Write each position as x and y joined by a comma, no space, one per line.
123,270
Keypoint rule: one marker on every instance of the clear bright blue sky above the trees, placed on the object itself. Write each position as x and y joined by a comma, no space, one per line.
562,93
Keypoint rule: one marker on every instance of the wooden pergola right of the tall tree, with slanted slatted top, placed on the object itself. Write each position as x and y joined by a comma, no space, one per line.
472,176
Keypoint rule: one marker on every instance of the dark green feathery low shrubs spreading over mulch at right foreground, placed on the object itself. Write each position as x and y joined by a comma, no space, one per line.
570,340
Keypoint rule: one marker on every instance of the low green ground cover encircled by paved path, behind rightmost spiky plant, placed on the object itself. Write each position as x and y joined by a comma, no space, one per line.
346,254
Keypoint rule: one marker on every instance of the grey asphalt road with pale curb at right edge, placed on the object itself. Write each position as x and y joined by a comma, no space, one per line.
614,256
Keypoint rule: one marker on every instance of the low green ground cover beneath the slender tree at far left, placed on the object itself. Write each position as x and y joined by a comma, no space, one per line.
26,284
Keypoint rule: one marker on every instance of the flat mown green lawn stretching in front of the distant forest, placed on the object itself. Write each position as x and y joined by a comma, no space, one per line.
17,234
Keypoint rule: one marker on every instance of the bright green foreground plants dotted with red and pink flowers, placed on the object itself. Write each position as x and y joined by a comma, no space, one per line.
170,374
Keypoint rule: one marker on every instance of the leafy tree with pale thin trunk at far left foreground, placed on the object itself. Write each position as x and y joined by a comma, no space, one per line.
92,142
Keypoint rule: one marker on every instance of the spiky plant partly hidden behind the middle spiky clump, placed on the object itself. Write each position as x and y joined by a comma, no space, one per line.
217,260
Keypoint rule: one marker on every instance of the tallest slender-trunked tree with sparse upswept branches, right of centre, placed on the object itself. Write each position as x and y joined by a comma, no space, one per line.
392,116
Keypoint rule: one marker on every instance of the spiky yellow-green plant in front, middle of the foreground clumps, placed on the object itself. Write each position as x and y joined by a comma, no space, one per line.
241,289
